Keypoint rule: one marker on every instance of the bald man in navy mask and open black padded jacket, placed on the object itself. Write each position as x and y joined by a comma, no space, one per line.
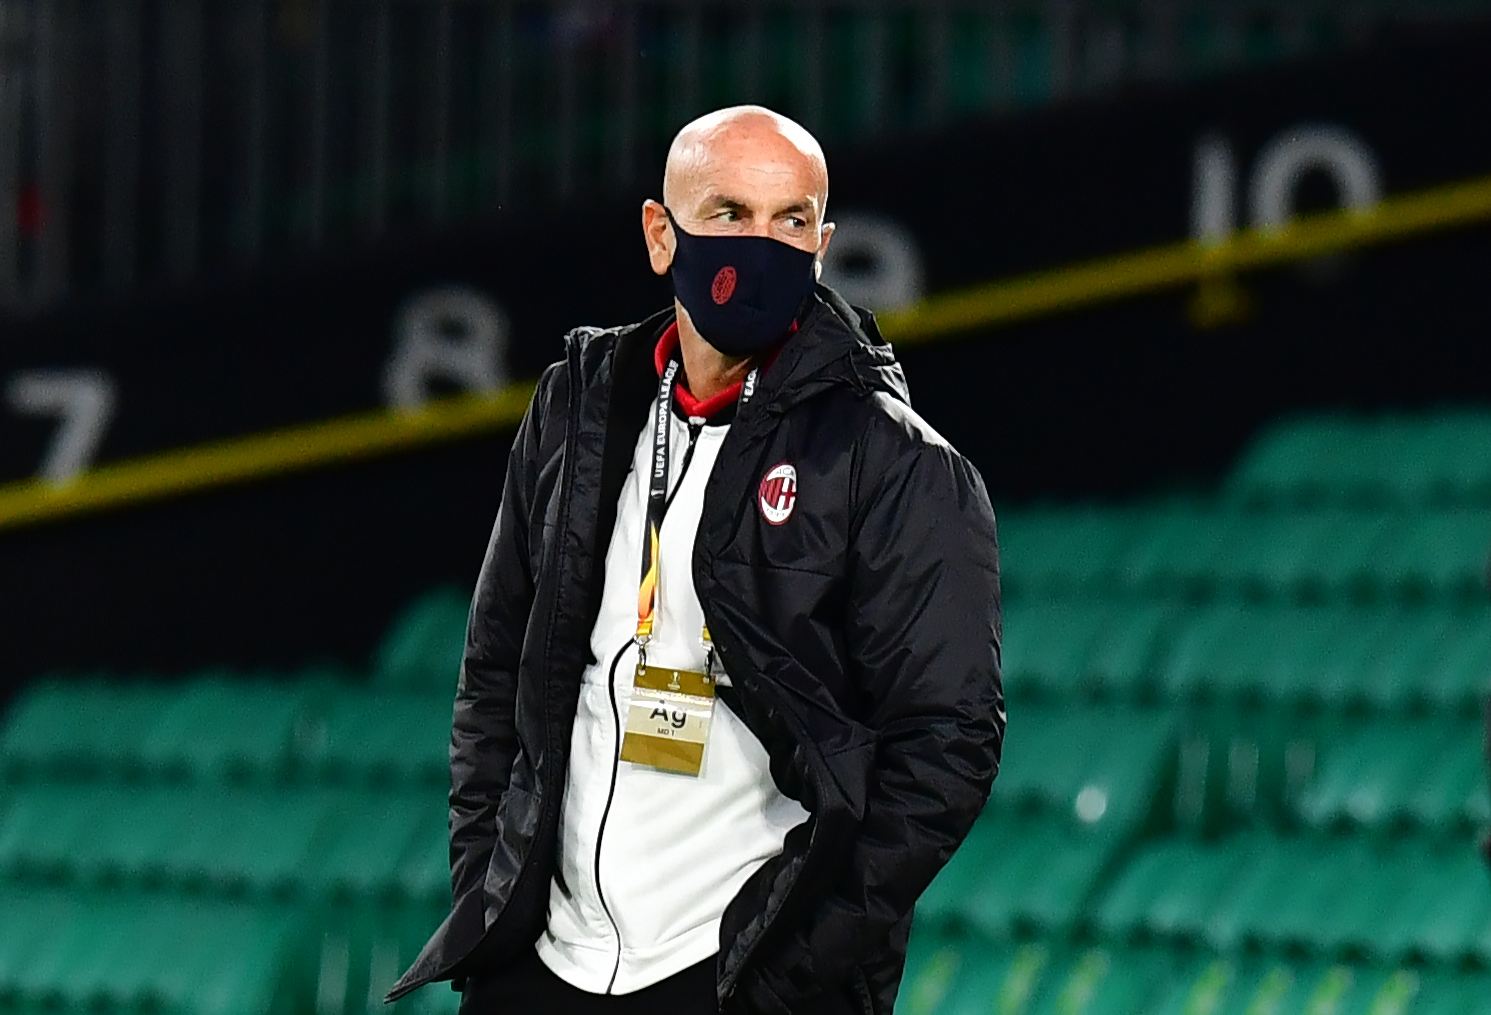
731,688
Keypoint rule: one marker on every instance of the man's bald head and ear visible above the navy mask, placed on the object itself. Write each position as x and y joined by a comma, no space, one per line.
742,171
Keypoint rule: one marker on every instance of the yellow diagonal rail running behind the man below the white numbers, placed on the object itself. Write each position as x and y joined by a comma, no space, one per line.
940,317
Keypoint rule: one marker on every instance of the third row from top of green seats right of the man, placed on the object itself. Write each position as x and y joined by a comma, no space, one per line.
1384,658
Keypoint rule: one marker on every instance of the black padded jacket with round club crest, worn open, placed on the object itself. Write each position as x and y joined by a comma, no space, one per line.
861,637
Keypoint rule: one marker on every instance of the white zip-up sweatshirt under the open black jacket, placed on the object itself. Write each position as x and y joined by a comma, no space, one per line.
649,859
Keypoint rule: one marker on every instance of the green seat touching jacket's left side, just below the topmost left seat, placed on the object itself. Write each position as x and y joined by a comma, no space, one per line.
382,737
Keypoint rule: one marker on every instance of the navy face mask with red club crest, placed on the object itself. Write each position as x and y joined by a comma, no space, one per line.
742,291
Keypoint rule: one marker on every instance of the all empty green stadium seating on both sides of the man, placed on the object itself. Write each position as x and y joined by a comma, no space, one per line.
1243,776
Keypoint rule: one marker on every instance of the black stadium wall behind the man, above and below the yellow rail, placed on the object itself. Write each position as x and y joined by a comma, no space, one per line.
1113,400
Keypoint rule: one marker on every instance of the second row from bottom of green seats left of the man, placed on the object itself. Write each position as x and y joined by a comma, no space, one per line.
302,843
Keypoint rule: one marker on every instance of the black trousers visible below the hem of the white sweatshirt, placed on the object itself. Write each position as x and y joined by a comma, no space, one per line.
532,989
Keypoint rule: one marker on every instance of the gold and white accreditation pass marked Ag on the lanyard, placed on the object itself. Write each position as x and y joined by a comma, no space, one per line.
669,721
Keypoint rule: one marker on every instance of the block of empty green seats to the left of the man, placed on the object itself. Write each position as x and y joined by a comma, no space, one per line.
302,815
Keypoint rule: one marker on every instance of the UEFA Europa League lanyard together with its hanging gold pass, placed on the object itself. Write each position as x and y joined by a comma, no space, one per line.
669,721
